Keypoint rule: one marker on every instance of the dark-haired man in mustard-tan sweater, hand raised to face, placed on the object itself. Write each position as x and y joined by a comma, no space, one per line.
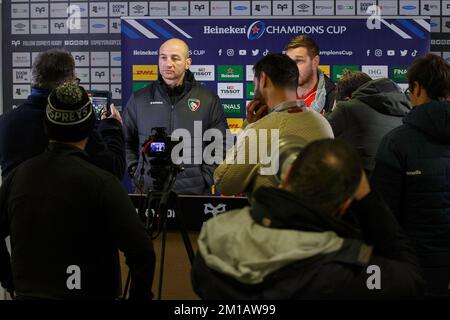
275,109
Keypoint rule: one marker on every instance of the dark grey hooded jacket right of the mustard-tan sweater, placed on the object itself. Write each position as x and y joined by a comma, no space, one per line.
376,108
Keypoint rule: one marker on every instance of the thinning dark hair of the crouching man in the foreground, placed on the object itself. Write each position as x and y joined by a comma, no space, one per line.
325,174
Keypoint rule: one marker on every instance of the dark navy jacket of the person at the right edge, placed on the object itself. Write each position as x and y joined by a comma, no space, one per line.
412,172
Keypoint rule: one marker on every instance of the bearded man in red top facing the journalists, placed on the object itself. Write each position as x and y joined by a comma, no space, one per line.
314,87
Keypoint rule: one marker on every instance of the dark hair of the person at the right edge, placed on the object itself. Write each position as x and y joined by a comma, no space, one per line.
433,73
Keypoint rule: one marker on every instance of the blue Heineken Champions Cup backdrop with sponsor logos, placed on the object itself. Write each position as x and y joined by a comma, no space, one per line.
224,50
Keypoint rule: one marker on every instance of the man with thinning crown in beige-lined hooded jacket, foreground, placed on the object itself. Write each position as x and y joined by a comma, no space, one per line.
292,244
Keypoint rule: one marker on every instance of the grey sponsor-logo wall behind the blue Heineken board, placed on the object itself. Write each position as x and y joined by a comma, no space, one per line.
31,26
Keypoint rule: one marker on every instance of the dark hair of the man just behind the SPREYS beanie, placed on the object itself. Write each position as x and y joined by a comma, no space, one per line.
52,68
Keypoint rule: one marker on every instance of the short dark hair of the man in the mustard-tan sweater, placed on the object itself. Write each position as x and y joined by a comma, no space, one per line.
281,70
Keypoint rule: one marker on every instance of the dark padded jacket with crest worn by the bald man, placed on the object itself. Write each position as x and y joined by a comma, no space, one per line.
153,107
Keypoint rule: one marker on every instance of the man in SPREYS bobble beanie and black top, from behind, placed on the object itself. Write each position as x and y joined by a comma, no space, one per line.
67,217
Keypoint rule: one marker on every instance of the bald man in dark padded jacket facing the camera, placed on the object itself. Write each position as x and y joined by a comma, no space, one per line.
176,100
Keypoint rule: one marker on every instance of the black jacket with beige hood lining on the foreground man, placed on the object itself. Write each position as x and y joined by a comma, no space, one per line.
281,249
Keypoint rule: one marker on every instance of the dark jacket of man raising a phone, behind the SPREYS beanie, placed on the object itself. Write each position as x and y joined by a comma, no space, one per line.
23,136
